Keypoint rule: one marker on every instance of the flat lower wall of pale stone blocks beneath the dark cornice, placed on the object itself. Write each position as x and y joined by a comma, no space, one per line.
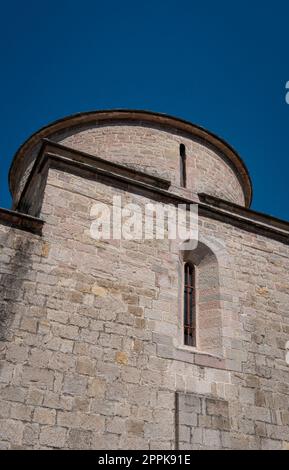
90,351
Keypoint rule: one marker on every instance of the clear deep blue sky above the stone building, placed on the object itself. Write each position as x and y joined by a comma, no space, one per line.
219,64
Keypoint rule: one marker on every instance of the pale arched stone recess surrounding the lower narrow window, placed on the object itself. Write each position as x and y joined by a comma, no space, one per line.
206,320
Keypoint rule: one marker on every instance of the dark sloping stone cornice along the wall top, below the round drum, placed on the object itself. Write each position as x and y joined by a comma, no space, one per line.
54,155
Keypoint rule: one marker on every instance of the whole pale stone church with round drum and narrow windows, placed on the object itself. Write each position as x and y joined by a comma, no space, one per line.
140,343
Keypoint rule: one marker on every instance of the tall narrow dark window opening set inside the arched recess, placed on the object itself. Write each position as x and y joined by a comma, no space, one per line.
189,305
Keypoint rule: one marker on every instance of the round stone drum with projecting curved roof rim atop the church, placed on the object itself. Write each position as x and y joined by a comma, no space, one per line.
148,142
